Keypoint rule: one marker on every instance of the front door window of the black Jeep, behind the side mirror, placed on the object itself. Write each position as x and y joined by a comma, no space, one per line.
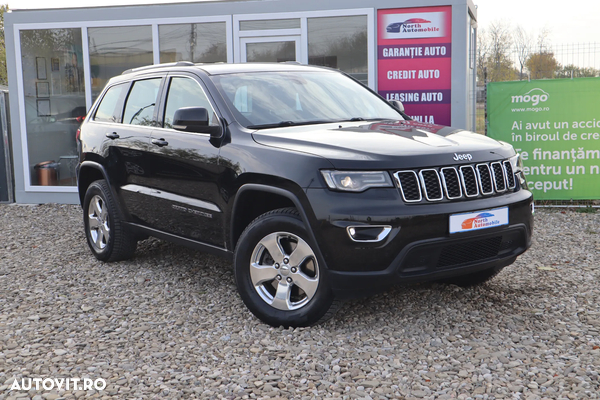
186,92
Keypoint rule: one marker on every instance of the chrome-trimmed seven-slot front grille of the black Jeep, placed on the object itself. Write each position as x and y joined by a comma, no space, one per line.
452,183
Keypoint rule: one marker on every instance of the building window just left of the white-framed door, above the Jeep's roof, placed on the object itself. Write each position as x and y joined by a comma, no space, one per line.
205,42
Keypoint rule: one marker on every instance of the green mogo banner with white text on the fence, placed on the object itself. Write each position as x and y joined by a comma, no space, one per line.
555,125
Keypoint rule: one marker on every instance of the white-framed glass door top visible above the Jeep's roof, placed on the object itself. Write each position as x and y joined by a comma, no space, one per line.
270,49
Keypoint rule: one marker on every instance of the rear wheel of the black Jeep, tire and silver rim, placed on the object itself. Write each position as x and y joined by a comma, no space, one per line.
106,234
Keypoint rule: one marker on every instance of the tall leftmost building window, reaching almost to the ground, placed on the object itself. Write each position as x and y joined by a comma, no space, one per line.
54,93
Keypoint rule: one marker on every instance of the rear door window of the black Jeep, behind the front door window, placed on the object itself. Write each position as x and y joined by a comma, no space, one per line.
141,101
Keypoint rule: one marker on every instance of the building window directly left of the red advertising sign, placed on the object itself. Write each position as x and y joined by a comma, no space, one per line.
340,42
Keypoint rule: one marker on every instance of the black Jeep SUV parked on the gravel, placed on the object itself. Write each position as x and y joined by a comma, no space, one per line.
315,187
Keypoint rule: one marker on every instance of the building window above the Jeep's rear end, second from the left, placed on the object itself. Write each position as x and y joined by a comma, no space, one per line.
117,49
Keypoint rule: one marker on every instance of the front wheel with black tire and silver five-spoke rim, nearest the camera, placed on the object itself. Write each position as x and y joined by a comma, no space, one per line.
305,297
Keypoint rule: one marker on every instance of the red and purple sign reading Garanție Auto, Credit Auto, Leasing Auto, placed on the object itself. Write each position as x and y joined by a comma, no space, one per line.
414,49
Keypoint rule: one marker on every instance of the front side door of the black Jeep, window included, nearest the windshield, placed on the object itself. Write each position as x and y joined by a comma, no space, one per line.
185,168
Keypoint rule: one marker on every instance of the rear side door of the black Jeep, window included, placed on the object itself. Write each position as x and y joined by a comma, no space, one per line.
130,148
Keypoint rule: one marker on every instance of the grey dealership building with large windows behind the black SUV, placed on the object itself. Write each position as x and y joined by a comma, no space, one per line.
421,52
